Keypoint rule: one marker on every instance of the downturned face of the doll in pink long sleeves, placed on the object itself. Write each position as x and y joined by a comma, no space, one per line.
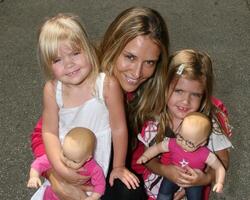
74,157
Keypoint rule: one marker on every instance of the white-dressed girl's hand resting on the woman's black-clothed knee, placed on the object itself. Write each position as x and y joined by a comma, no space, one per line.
127,177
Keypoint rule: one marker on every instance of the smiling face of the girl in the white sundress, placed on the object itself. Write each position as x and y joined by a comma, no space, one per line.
71,66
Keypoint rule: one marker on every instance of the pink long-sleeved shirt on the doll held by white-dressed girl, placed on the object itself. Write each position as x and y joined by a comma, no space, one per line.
92,169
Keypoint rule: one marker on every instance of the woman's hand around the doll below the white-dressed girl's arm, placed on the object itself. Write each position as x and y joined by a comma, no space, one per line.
64,190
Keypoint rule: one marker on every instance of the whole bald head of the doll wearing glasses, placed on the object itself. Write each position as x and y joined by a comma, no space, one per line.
194,131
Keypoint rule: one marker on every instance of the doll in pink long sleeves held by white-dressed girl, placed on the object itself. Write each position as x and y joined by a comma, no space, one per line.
77,153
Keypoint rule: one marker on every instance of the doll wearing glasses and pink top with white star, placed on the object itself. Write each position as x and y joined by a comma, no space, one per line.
188,149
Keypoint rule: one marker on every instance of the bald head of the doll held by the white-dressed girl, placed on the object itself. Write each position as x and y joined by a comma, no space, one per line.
78,147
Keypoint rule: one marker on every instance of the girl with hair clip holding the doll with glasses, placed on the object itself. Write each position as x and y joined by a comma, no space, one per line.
189,88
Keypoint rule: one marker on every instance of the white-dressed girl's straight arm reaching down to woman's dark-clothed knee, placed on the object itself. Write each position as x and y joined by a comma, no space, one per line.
115,103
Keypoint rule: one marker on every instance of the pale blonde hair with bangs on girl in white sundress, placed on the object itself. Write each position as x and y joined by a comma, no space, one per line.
60,28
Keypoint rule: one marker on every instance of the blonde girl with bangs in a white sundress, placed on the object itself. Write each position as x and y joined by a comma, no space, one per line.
77,95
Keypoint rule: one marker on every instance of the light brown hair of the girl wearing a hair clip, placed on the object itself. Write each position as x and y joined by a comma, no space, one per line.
197,66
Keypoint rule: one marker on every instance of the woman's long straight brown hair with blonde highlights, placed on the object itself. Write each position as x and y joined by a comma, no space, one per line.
133,22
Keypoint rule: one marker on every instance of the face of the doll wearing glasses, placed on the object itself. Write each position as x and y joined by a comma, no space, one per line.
190,137
